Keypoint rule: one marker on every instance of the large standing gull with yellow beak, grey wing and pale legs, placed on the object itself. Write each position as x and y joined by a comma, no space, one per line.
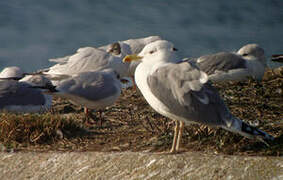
180,91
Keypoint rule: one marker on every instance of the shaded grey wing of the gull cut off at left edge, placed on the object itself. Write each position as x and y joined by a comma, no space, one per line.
15,93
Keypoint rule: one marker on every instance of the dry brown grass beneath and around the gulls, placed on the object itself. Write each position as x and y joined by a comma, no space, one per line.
130,124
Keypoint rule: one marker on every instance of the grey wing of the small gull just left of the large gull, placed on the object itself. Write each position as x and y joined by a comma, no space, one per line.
90,85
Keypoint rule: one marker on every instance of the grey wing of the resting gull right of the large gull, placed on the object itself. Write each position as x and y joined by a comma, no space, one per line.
223,61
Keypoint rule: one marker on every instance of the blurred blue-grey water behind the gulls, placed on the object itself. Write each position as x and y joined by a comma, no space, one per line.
32,31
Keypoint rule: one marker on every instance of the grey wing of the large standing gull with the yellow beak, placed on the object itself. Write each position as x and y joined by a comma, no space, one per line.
185,92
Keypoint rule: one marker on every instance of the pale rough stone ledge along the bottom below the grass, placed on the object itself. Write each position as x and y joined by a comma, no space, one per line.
130,165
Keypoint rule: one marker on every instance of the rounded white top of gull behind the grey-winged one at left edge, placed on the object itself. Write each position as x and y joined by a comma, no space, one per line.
12,72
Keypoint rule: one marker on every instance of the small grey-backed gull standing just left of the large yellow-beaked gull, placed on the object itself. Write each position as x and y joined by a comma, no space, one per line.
93,90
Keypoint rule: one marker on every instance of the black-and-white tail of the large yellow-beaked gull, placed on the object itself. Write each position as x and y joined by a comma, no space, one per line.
251,132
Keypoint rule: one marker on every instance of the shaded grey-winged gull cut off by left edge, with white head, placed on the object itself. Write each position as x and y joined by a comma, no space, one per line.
23,96
